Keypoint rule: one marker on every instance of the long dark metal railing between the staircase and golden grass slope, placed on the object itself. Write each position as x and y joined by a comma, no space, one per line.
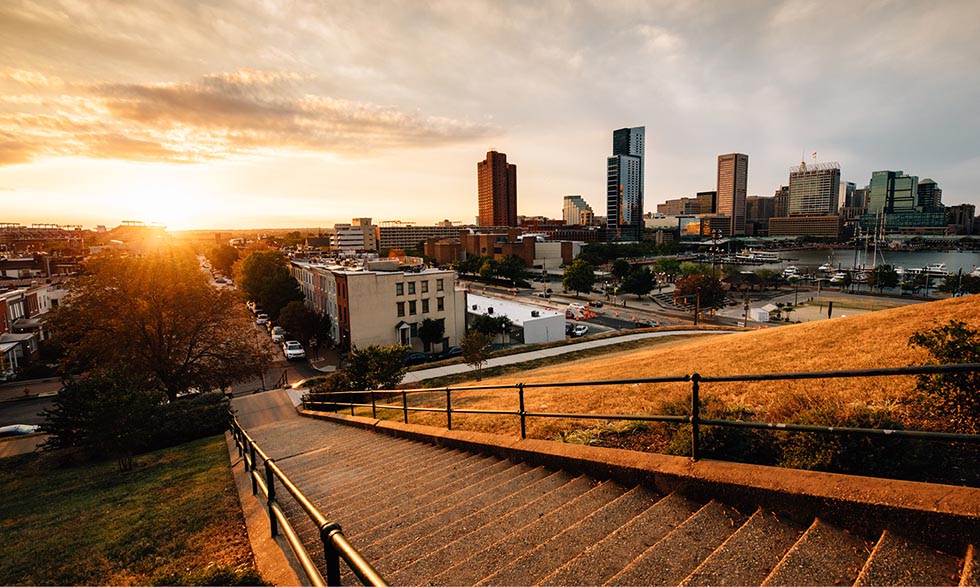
314,399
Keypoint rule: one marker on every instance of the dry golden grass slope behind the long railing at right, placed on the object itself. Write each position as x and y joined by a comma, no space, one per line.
873,340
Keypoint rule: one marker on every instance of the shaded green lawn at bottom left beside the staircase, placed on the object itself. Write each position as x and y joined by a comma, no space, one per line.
174,519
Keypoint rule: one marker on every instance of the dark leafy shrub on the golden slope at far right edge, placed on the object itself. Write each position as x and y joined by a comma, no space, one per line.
952,399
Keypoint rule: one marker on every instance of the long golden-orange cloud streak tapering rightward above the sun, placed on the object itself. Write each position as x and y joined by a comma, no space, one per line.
221,115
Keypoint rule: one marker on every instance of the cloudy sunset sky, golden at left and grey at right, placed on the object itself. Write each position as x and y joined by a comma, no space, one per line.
226,114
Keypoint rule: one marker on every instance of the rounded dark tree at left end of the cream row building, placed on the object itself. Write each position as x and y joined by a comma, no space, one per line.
263,276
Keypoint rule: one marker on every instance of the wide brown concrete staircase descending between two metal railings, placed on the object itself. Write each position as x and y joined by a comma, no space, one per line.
425,515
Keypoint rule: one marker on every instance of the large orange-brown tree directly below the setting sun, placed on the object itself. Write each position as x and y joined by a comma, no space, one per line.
155,315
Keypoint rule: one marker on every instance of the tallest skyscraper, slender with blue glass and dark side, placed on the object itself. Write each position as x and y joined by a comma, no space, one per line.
624,185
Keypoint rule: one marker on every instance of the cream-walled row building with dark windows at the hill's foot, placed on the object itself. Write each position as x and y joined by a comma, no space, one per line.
382,302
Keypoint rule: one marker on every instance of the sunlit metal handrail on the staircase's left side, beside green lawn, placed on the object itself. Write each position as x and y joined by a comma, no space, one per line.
335,544
